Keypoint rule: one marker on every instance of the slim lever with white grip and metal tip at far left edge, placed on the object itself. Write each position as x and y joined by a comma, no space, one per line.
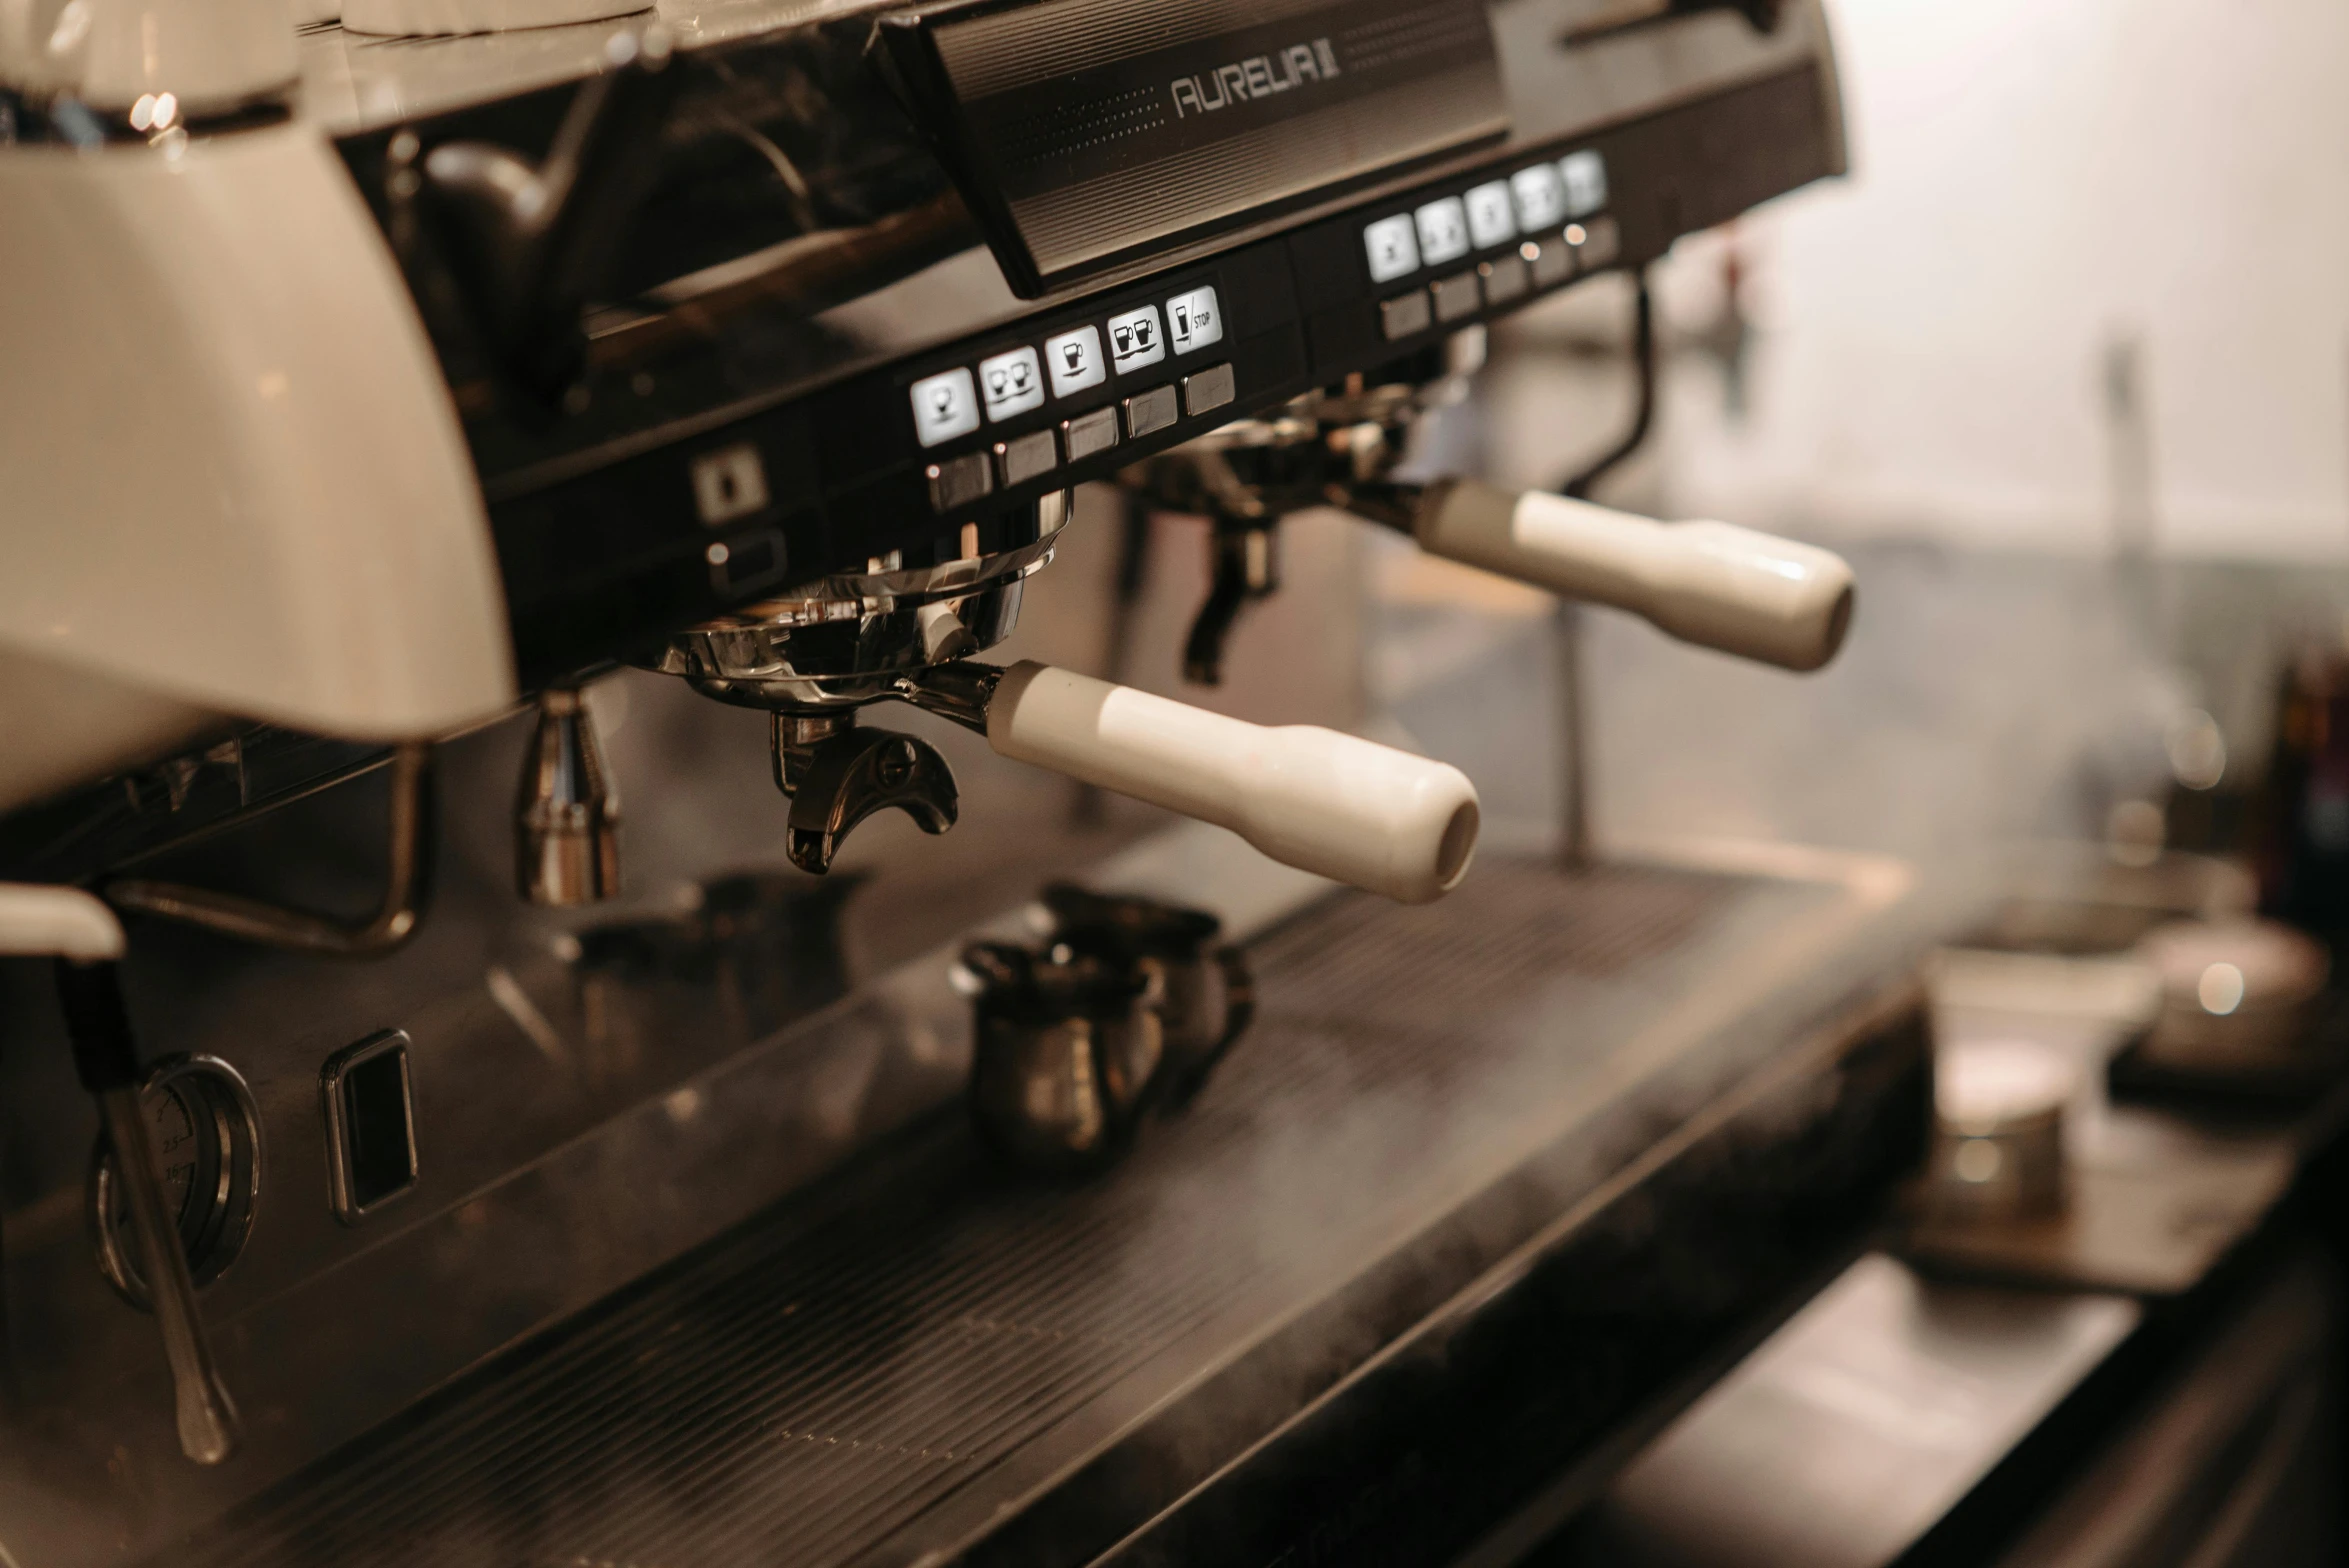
86,940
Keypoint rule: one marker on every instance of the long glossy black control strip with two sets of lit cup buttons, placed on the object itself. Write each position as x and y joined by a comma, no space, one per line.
943,454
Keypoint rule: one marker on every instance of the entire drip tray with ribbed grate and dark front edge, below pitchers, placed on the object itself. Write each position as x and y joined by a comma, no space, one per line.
1481,1187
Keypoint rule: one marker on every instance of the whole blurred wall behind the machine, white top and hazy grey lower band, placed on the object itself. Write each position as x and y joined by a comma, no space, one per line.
2064,367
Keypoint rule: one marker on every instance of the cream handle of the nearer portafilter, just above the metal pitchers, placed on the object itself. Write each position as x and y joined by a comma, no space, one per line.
1314,799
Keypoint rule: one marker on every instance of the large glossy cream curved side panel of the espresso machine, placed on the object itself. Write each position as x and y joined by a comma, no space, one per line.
234,471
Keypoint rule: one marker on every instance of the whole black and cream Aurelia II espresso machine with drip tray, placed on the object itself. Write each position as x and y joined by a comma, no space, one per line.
415,1165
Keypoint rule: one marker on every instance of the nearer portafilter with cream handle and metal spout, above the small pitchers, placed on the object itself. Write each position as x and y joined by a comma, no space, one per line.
1314,799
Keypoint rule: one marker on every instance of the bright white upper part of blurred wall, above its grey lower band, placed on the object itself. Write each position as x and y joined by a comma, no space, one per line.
2089,281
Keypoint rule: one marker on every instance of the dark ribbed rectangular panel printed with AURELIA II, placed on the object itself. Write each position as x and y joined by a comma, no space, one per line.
1089,130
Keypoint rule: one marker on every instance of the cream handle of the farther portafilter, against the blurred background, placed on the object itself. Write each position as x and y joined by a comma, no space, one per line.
1716,586
